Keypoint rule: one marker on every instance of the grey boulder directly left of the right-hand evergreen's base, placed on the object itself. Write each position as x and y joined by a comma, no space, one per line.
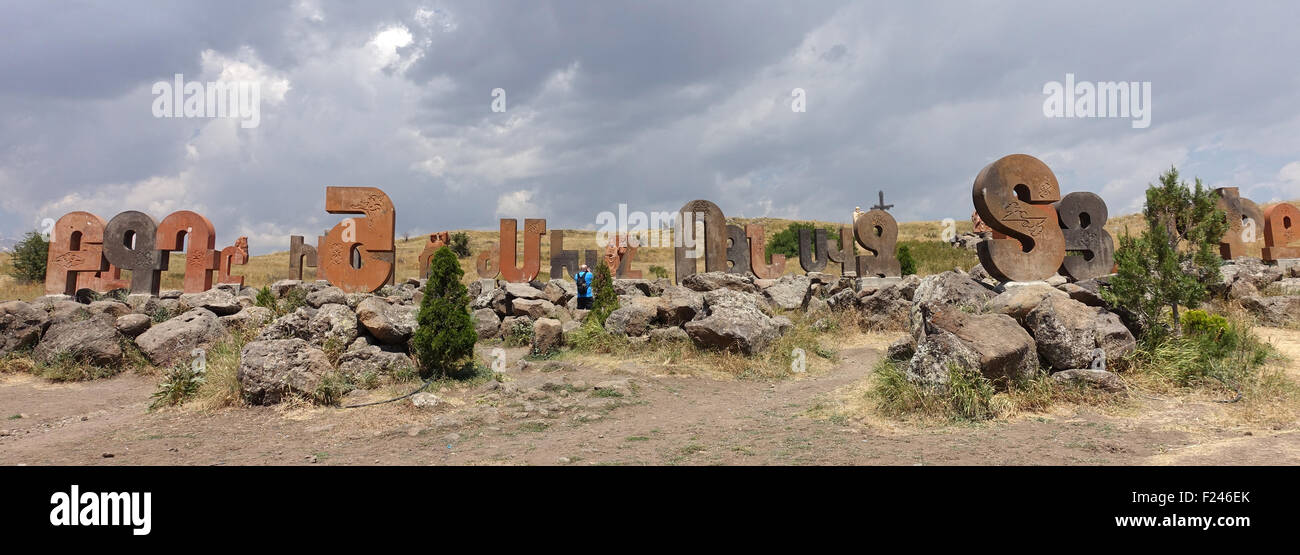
1069,333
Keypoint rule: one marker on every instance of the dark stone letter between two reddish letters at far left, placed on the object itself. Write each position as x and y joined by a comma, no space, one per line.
129,244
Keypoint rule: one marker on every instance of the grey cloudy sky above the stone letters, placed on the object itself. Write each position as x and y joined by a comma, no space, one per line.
651,105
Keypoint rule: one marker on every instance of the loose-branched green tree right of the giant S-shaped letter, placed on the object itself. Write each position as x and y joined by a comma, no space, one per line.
1173,261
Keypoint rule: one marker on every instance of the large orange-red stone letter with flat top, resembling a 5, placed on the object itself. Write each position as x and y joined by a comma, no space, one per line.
371,235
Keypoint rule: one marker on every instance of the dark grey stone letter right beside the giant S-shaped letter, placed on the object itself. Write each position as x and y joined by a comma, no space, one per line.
1084,220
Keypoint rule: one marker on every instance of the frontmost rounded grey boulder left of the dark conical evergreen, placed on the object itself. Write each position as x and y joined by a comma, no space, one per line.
274,370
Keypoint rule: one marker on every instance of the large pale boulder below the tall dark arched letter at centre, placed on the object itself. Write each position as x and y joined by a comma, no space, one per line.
735,322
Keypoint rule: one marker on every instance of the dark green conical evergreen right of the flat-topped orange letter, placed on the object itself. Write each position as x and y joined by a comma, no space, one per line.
445,335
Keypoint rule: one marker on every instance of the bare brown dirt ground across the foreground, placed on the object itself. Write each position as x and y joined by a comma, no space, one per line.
549,414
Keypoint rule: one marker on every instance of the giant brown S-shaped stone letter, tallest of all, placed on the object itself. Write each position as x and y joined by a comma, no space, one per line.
1015,197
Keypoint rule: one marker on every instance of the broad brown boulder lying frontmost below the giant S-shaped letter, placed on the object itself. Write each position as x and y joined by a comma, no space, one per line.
995,345
